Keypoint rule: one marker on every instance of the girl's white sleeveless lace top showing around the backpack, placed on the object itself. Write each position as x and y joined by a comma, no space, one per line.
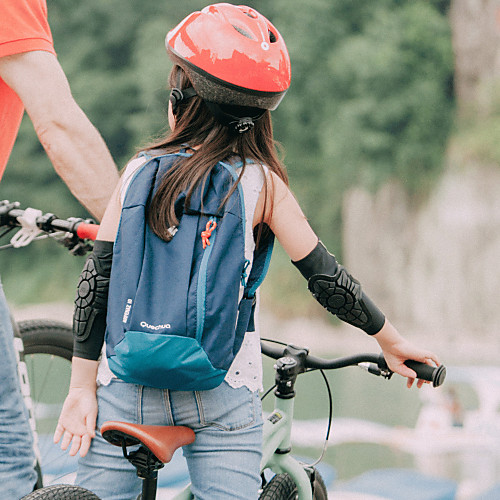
246,369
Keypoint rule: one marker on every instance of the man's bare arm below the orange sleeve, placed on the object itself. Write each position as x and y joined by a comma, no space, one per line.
73,144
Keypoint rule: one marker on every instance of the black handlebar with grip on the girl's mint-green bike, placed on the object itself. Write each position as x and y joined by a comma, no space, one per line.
376,363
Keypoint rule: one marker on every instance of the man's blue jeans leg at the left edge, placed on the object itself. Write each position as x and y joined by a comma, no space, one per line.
17,459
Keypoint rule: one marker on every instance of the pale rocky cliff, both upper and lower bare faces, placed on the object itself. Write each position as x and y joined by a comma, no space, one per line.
435,264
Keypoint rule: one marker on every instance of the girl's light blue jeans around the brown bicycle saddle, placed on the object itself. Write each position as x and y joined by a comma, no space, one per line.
223,461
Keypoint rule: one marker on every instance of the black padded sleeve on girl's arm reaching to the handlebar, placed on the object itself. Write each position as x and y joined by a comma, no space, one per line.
338,292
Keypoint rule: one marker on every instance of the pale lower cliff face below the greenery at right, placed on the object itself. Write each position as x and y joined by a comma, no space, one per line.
435,266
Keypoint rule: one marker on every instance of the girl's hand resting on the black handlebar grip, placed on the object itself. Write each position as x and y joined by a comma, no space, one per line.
397,350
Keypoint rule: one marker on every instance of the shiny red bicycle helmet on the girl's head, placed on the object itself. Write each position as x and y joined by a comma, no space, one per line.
233,55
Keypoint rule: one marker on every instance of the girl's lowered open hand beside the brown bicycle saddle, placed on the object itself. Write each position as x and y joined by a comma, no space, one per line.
77,421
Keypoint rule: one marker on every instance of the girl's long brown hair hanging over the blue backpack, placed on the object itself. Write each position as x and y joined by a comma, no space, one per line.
195,125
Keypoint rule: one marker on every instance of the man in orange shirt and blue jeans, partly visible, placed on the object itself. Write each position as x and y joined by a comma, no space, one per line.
32,79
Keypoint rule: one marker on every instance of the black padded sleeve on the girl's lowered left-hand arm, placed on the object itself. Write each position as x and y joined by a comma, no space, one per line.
89,318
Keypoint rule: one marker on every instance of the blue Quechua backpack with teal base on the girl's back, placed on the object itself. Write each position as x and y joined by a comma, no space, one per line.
175,317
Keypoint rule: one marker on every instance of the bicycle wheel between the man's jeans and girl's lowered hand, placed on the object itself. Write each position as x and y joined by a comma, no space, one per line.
48,347
